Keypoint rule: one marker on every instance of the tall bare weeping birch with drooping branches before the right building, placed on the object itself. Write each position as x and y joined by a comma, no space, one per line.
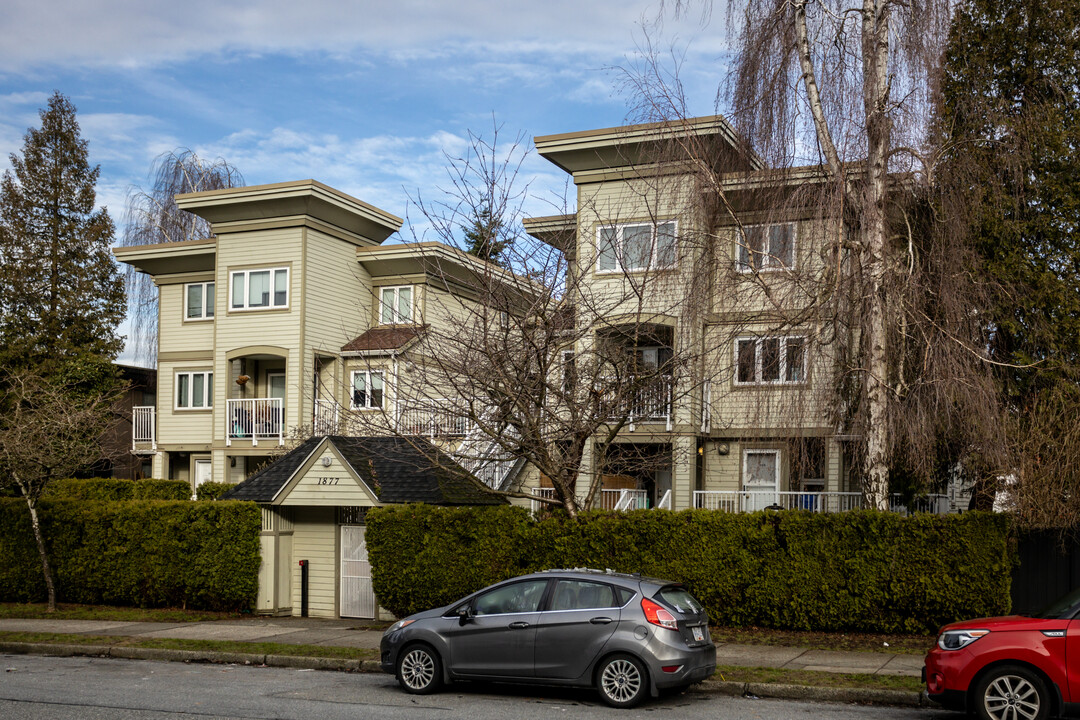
835,100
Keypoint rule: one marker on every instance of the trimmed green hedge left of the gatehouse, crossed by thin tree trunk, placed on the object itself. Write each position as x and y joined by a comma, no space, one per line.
137,553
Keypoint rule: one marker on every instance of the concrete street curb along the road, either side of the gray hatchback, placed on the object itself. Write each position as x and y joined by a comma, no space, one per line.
772,690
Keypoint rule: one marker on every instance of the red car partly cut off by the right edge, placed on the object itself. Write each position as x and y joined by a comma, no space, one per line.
1019,668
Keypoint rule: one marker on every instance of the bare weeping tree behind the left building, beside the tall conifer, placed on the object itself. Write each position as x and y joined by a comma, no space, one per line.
153,218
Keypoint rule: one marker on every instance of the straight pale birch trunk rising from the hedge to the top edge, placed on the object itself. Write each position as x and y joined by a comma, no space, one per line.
875,40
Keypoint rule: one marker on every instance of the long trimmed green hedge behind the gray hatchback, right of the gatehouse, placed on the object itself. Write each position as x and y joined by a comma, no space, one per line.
862,572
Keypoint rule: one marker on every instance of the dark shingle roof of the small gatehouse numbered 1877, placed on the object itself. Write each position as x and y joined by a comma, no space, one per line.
398,470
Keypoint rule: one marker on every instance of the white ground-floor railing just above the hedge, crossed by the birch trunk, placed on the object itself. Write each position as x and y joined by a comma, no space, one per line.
739,501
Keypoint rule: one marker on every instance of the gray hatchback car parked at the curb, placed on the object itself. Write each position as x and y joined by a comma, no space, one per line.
626,635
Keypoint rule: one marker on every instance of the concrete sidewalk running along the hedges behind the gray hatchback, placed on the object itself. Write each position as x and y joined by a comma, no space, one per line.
354,634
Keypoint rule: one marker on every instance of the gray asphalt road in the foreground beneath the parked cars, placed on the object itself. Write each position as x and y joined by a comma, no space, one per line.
99,689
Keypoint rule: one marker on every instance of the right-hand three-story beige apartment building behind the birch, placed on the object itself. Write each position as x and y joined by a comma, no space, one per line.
710,259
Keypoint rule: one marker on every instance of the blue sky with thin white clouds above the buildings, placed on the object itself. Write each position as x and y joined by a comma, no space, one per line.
366,97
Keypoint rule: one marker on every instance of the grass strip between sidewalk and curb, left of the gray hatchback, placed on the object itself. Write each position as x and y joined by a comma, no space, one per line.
211,646
